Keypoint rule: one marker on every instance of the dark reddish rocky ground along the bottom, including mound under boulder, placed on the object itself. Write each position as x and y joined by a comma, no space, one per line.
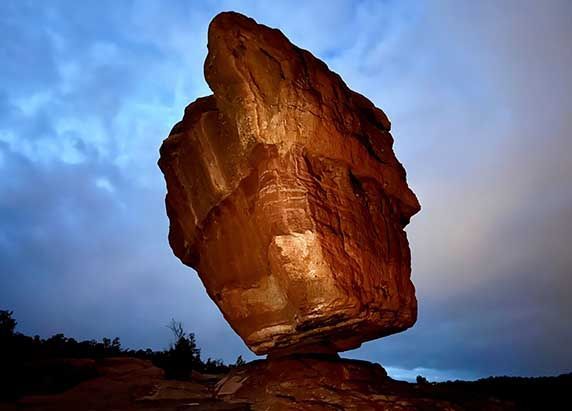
300,383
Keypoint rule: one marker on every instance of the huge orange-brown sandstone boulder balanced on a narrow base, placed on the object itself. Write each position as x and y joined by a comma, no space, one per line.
285,195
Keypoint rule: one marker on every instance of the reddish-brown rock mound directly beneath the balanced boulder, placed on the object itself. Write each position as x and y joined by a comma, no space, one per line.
314,383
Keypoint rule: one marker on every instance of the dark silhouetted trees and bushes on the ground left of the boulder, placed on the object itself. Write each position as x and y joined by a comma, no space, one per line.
26,360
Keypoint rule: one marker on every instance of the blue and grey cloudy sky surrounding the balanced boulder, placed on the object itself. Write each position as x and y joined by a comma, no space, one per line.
480,97
